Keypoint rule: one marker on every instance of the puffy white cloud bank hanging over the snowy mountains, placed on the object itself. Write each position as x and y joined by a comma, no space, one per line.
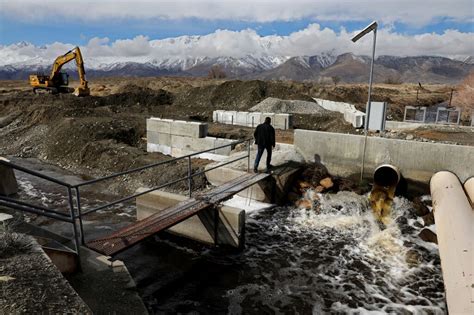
312,40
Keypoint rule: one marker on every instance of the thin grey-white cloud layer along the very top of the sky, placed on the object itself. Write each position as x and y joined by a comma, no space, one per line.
411,12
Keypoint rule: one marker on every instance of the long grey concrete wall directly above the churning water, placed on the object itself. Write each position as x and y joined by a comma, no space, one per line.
342,154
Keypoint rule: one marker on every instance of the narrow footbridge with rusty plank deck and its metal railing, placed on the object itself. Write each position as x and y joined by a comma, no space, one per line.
138,231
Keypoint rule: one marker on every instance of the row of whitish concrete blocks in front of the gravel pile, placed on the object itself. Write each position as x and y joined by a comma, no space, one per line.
252,119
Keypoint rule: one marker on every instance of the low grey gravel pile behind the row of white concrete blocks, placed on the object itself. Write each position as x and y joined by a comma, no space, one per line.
276,105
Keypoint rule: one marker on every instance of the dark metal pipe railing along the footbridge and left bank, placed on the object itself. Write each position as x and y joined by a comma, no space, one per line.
75,212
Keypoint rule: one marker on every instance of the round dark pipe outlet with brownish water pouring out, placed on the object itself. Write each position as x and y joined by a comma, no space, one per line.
386,178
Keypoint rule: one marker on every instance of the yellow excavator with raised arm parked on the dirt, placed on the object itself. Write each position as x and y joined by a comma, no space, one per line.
58,81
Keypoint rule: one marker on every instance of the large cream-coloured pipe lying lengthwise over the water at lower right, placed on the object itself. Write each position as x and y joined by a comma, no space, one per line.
454,220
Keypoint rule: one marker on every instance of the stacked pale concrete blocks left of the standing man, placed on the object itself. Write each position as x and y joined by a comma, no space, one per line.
178,138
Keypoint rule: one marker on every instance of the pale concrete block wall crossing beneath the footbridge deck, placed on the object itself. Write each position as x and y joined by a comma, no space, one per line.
231,219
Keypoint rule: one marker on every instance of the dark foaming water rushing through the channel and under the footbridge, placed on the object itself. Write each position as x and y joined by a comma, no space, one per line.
331,259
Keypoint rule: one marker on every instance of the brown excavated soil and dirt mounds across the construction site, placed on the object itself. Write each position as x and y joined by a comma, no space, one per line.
105,132
